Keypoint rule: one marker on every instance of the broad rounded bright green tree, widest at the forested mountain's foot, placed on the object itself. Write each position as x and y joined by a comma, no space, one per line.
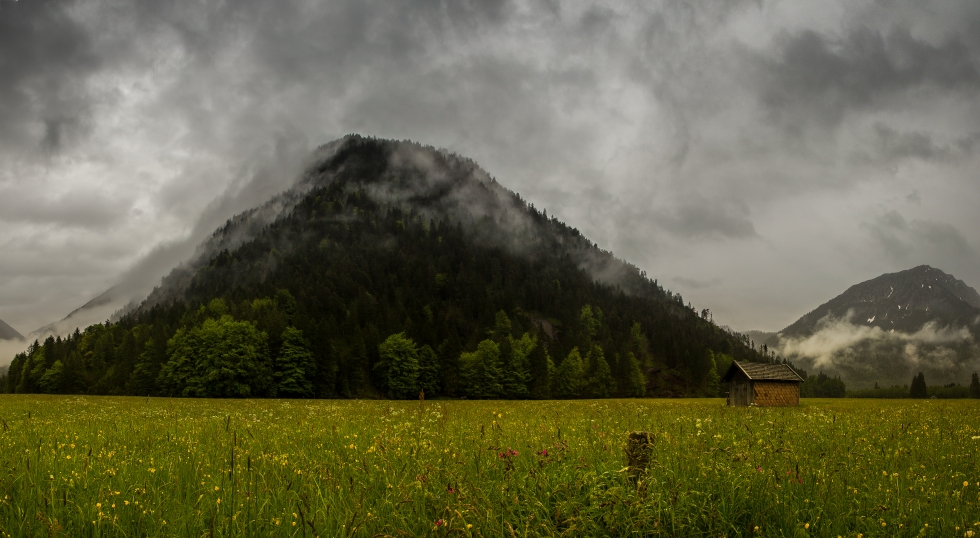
221,358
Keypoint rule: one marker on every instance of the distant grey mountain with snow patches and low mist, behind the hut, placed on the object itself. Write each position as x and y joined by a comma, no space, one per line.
887,329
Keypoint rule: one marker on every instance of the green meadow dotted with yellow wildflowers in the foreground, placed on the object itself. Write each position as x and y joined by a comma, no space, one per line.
93,466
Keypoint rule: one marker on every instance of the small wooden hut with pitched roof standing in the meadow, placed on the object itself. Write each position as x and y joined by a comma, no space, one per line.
754,383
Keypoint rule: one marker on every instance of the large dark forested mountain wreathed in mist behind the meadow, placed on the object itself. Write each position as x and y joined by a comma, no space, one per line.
388,269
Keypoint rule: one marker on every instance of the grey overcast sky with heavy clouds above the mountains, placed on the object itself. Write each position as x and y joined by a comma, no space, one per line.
758,157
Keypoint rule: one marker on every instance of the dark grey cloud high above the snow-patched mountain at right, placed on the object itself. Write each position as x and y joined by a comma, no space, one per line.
816,78
